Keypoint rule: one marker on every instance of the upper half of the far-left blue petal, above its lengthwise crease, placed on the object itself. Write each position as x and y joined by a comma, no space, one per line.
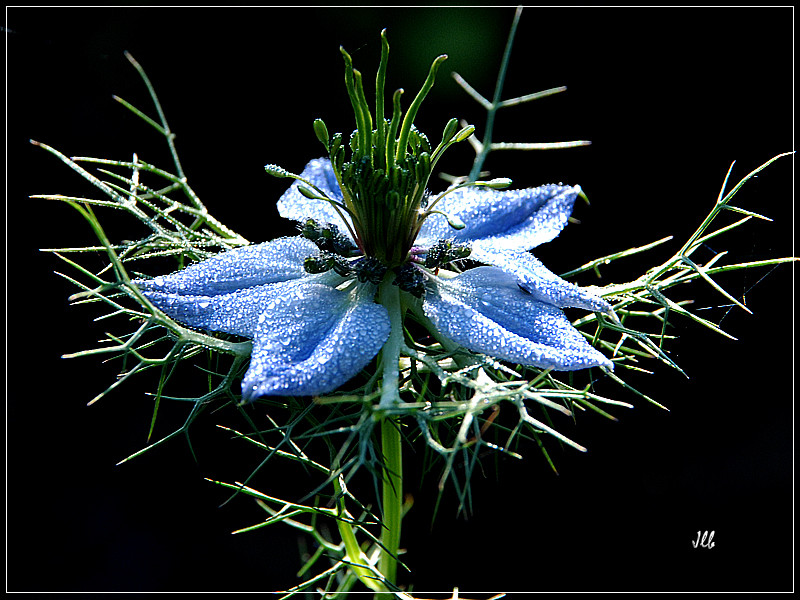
277,260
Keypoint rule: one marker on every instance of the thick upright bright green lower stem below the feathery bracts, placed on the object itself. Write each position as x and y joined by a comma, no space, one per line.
391,444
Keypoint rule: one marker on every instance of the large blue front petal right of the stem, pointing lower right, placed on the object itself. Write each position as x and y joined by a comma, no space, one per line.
485,311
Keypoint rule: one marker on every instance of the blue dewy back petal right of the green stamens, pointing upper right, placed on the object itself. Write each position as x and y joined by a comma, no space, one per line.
514,220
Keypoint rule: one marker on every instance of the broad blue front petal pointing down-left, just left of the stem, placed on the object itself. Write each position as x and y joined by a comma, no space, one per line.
314,340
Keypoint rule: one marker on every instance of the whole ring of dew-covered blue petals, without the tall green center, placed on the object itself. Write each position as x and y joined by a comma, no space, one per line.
313,331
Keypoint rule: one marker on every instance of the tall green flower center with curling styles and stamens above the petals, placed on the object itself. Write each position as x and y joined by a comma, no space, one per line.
384,175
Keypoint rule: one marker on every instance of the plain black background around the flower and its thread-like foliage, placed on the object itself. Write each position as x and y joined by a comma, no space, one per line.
669,97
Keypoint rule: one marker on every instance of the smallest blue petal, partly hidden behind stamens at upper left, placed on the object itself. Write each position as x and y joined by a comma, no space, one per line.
293,205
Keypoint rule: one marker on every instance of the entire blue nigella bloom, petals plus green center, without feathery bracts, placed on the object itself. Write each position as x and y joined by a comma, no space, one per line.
320,306
